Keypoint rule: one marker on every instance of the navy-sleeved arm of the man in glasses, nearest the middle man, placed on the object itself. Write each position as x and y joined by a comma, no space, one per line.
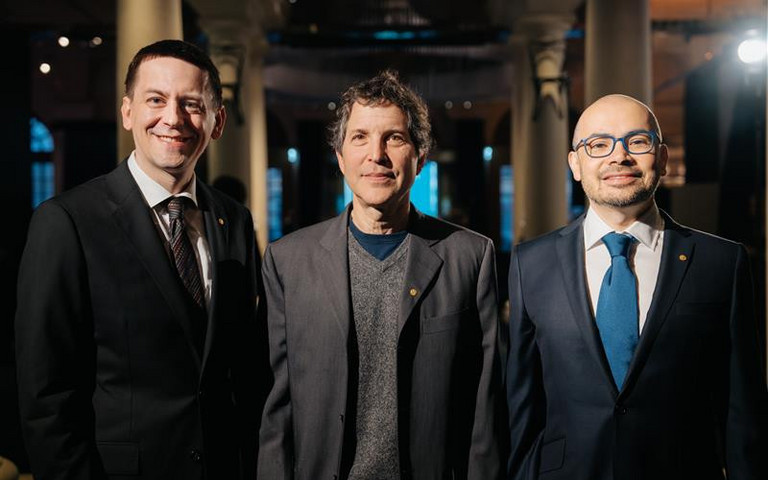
525,393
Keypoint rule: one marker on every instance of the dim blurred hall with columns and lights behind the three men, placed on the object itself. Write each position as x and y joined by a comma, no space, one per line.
505,81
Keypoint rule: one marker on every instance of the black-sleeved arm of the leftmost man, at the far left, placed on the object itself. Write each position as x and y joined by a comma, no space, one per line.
55,350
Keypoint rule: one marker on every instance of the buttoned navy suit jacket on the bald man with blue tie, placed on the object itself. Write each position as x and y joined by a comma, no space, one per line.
694,399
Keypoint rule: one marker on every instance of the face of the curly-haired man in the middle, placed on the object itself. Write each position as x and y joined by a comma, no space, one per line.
378,158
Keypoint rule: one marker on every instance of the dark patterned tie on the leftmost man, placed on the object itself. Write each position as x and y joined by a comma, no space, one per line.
183,253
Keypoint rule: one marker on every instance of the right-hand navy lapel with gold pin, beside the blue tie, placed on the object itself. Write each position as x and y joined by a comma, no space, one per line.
676,255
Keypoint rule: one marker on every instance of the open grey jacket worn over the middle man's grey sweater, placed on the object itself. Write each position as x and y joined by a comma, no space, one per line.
448,363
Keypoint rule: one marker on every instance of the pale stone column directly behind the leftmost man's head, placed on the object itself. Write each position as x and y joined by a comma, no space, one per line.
139,23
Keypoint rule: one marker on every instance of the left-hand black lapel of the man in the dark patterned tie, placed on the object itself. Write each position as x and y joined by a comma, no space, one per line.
133,216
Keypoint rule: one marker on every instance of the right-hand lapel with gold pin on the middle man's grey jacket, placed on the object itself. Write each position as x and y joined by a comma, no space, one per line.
421,267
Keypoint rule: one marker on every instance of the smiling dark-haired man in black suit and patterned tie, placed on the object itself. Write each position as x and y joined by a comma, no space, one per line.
136,339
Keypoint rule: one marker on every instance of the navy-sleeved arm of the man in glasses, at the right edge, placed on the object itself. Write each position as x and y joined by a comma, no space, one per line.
747,416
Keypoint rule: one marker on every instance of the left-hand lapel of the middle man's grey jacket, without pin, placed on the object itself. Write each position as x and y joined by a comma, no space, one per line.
336,264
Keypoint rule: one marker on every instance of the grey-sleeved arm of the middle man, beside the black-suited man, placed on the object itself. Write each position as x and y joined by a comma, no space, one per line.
275,436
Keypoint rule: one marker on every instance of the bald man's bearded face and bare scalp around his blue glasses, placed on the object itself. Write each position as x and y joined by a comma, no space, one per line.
621,180
